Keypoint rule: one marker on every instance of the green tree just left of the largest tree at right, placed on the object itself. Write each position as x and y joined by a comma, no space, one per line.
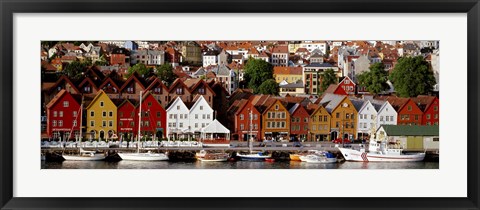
375,80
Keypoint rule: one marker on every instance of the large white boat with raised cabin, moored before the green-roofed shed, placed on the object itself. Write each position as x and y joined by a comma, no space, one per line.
378,151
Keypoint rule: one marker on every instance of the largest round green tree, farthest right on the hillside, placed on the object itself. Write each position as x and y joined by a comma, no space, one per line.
412,76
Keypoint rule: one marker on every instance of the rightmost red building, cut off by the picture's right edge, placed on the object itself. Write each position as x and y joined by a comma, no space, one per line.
430,107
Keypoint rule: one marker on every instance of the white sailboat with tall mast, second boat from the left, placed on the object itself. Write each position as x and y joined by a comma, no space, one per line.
145,156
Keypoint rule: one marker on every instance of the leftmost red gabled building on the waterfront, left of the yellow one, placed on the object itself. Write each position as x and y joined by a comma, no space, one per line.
63,116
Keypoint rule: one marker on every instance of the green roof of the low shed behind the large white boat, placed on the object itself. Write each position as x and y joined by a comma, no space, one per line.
411,130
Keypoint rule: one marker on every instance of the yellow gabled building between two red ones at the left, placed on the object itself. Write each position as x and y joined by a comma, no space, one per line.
101,120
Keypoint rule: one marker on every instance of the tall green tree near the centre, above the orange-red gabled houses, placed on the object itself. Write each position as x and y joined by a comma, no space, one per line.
256,72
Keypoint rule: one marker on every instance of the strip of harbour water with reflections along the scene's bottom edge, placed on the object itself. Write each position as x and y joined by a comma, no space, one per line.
233,165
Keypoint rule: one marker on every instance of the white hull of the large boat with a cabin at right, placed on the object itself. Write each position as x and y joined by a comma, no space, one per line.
354,155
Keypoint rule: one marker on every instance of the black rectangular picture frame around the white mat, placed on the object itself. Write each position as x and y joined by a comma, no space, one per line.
10,7
